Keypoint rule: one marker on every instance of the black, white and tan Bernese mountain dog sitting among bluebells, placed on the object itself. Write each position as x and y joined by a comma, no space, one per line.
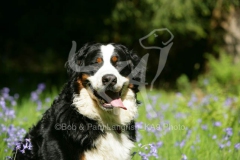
93,116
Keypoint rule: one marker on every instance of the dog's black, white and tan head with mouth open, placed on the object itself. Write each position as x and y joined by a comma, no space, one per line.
105,71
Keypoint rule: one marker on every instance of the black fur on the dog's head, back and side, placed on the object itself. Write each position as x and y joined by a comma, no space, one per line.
69,144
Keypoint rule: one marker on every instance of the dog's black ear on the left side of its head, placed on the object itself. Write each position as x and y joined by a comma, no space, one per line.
76,59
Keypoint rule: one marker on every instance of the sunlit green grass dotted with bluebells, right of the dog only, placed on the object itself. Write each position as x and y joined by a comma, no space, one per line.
198,131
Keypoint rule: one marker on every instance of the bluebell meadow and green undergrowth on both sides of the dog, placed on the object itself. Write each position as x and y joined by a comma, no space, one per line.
199,121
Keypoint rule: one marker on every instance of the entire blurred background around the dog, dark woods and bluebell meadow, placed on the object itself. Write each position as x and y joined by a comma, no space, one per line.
198,88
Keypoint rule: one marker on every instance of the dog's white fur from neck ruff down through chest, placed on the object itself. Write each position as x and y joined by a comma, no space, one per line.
113,145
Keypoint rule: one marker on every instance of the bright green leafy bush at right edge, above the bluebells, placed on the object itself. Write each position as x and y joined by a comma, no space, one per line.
223,73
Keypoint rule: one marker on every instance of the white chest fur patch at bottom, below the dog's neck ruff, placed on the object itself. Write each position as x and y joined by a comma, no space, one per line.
112,146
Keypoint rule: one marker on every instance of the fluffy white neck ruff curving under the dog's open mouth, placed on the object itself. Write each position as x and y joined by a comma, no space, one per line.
89,108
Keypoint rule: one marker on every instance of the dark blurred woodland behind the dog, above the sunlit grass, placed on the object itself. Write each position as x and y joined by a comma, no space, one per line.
36,37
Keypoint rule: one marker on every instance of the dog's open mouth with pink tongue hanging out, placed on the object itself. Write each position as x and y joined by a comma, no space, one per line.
109,99
